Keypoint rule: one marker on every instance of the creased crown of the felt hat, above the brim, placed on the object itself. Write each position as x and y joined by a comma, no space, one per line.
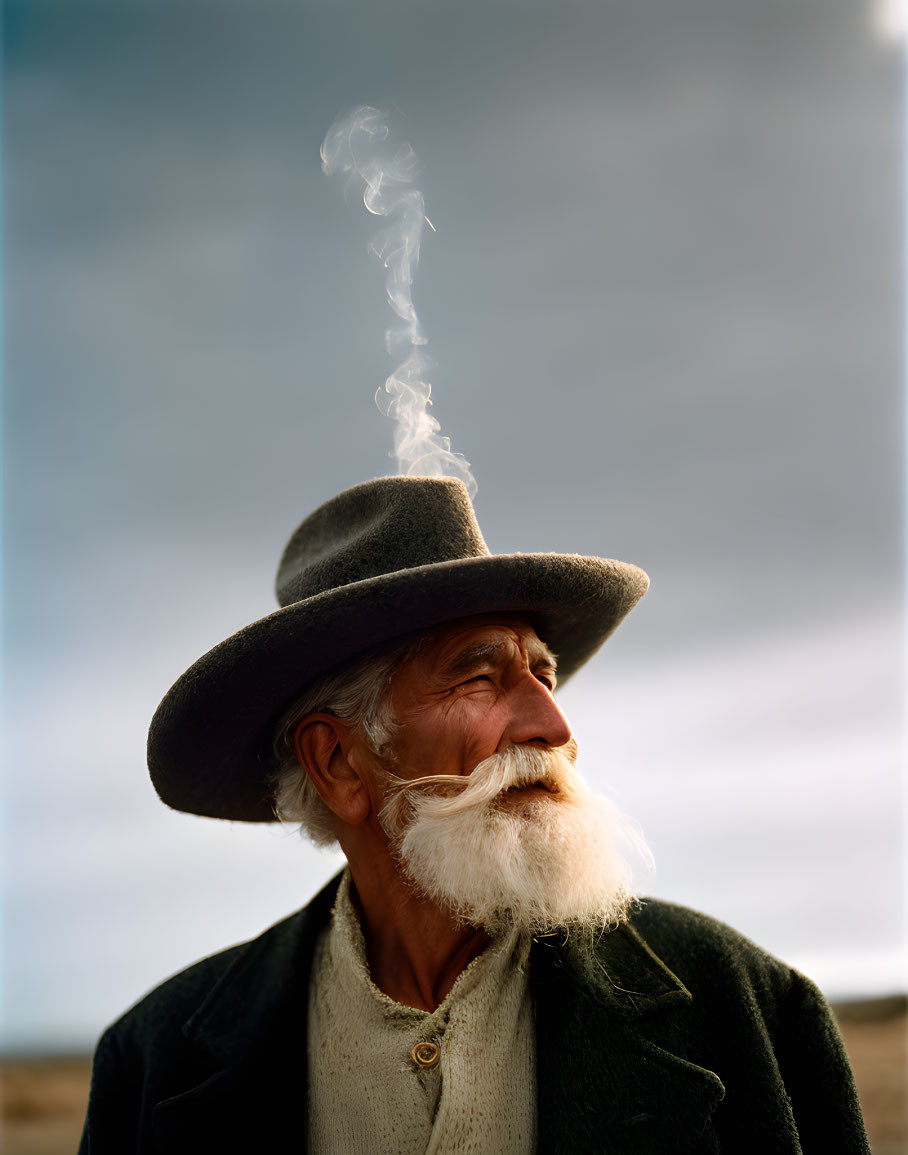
377,528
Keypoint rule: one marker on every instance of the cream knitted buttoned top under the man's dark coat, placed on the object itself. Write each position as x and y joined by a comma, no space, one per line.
368,1097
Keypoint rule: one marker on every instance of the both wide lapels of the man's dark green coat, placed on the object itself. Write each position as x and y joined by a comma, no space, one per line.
606,1079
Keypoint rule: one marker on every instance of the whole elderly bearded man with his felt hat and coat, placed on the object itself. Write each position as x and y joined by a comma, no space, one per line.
481,978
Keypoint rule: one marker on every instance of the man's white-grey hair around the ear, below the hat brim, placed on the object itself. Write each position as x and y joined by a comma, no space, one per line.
359,694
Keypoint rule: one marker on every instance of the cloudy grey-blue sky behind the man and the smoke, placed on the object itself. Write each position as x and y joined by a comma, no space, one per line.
665,304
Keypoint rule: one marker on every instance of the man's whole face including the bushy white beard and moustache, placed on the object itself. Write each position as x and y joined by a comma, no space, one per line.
482,803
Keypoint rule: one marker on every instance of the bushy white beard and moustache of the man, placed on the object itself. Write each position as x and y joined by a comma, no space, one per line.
538,862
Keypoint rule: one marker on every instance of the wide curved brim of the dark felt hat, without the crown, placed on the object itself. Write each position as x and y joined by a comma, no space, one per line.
210,741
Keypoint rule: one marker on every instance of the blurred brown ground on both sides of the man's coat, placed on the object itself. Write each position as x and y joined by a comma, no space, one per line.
44,1100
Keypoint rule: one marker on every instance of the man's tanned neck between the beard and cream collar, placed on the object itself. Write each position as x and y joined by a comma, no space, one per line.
415,950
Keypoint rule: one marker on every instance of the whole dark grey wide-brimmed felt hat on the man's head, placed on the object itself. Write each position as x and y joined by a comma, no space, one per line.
378,562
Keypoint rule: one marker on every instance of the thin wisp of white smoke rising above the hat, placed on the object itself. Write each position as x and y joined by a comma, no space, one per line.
360,146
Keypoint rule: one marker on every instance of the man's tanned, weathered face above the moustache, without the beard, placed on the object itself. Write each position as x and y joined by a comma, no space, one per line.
474,689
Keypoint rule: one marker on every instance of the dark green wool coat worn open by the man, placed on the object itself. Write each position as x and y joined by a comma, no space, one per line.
678,1035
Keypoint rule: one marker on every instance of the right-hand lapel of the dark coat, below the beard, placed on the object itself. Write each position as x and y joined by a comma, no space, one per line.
605,1081
